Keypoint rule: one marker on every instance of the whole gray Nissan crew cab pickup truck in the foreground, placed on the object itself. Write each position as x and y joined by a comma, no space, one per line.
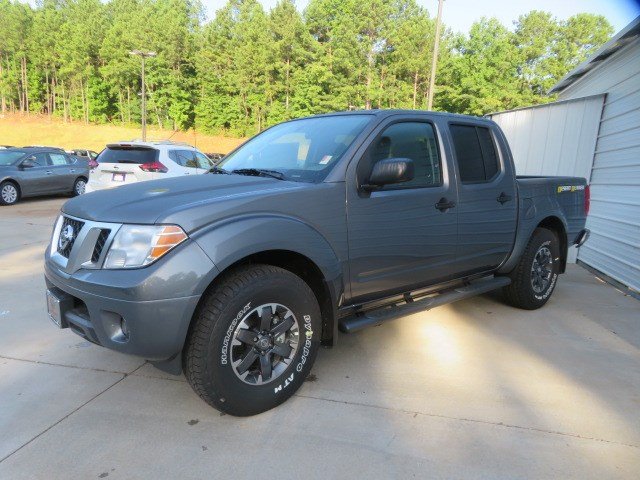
337,221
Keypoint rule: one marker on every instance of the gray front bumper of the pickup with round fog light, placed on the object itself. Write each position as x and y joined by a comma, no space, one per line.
144,312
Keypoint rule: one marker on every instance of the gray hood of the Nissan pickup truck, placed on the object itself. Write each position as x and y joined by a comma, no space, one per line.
153,201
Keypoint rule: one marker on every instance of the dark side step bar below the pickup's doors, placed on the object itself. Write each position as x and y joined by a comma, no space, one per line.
372,318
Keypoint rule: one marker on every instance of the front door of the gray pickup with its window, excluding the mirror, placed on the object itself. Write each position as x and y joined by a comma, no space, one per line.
399,238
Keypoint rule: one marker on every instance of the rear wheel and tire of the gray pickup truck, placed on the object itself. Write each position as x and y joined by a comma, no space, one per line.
535,277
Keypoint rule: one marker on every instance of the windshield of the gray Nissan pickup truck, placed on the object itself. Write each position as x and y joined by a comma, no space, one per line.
302,150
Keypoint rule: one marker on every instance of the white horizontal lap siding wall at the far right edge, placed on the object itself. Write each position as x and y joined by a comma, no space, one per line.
614,219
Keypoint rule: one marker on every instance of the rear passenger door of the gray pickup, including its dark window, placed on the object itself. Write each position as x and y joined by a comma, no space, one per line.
487,204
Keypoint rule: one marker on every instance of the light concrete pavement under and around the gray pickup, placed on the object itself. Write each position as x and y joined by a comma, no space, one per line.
470,390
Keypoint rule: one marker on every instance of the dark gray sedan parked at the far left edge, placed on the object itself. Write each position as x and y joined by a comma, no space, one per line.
27,172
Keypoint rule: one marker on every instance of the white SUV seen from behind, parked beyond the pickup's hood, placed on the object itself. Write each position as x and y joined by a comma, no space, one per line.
129,162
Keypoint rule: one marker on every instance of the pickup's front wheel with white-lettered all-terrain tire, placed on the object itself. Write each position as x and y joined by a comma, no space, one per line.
253,340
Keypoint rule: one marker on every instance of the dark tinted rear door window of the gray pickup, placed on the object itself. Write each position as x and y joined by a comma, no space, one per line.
475,153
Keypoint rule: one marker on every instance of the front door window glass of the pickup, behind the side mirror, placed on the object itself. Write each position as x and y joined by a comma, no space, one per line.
415,141
